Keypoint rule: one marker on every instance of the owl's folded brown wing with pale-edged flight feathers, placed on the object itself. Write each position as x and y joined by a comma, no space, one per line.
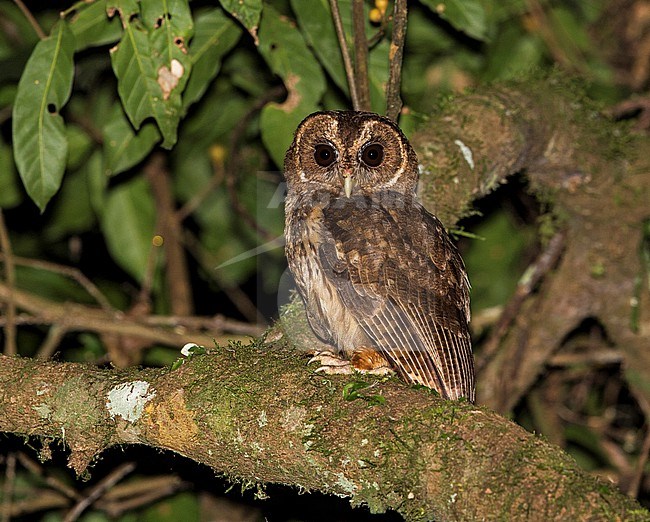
398,273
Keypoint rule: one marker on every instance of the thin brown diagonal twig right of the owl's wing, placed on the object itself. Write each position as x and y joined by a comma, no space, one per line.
533,275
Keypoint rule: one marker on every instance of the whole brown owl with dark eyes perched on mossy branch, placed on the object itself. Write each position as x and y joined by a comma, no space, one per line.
382,283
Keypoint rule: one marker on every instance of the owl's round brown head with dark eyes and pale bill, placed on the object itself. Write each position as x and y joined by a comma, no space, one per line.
350,152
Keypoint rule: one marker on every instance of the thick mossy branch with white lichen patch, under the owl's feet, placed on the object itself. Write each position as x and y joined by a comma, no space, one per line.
263,415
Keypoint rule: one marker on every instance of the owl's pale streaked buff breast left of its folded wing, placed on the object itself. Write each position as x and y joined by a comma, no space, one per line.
306,235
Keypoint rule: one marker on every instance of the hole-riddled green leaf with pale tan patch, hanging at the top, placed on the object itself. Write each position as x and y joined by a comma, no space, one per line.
151,62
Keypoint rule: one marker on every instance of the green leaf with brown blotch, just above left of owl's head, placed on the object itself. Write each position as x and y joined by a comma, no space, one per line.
285,51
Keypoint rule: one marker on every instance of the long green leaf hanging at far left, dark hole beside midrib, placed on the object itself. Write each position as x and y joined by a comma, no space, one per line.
40,144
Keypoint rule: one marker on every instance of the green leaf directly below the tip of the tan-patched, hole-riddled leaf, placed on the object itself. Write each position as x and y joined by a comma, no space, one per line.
124,147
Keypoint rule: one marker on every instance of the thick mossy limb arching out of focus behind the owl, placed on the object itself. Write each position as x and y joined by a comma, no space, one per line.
594,178
